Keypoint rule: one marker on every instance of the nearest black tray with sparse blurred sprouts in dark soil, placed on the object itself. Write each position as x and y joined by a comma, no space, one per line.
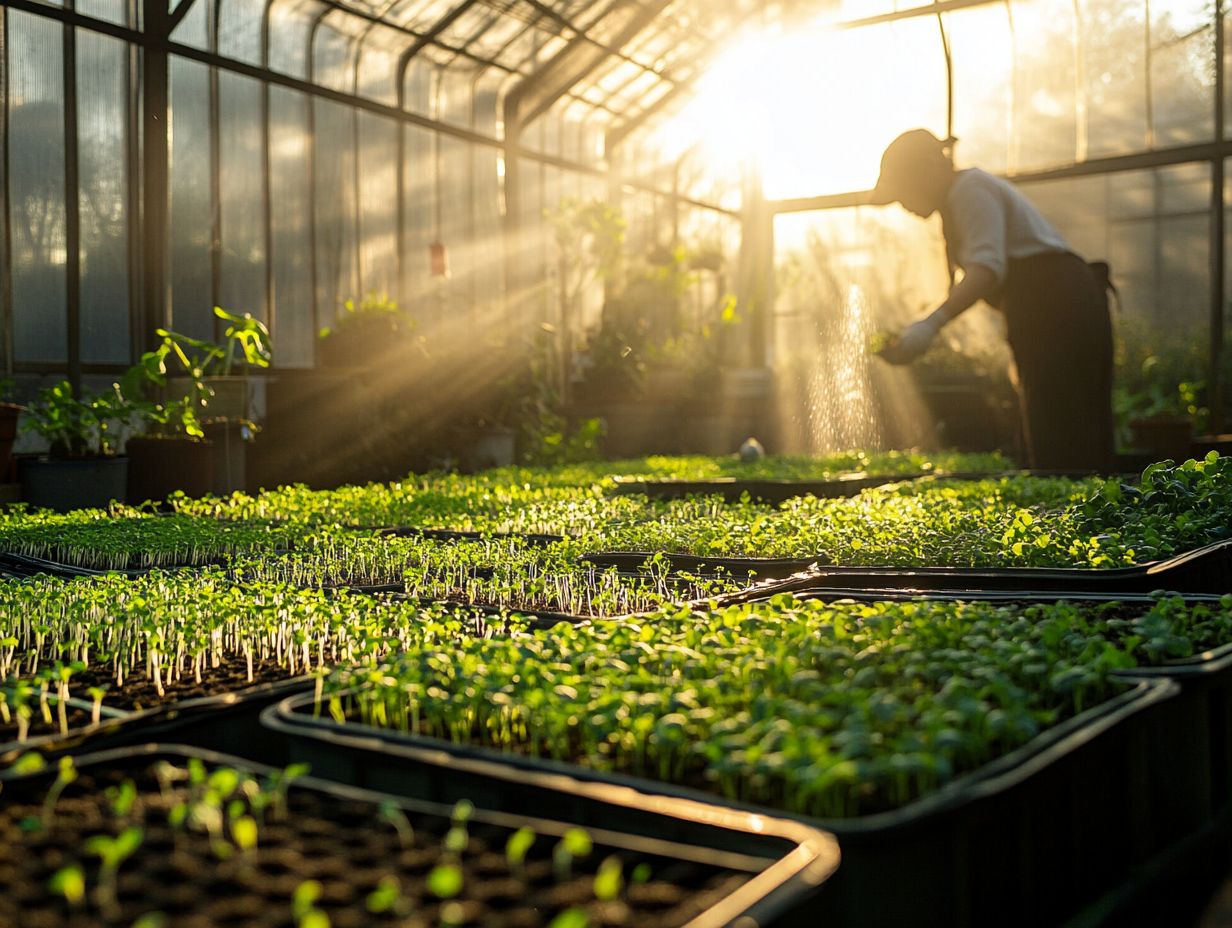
299,845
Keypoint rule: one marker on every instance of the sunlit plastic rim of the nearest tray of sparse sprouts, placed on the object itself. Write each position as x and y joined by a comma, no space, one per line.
788,863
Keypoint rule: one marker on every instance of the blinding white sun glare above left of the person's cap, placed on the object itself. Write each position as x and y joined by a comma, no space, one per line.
813,109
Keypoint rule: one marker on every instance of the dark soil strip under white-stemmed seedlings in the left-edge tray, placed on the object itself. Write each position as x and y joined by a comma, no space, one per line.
139,692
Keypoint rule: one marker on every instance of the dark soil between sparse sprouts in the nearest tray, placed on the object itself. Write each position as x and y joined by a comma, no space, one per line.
344,845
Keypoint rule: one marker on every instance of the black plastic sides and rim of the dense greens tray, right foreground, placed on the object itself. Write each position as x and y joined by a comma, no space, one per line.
1026,840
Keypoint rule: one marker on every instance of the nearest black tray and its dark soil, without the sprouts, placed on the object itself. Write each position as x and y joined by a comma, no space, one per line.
346,839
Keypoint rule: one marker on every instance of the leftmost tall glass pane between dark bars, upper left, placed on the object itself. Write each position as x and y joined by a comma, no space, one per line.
36,188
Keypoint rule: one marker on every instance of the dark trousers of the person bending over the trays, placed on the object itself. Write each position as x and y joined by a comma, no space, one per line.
1056,311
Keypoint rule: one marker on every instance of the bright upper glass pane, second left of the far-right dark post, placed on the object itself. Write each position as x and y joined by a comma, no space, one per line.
1114,41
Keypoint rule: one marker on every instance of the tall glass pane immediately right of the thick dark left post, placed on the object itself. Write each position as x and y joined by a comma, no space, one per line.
192,206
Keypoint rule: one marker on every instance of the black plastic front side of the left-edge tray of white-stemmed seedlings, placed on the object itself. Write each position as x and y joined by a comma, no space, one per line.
229,722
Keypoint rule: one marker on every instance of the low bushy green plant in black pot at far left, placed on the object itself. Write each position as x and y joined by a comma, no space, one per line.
82,469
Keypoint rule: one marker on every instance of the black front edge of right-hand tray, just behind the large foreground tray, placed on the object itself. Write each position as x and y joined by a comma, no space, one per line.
1204,570
